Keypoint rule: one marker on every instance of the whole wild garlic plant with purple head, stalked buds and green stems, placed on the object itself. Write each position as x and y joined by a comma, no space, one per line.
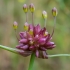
34,40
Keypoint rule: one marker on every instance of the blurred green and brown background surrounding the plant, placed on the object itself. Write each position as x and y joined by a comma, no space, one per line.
11,10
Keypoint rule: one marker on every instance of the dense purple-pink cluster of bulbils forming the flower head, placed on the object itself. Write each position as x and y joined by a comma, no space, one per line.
35,40
